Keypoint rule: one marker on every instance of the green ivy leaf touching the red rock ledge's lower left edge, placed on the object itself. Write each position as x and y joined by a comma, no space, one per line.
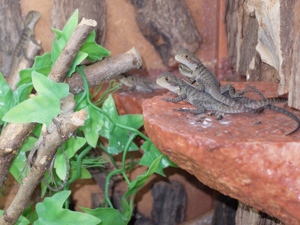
151,153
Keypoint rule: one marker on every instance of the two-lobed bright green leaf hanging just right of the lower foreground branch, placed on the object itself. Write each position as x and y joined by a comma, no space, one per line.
70,147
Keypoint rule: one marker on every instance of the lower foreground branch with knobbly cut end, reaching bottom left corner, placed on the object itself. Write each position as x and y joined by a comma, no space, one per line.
68,125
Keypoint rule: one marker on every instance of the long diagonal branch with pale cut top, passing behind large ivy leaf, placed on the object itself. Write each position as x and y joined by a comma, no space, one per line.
9,144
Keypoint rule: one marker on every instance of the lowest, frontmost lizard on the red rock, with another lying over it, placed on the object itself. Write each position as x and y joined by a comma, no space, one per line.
203,101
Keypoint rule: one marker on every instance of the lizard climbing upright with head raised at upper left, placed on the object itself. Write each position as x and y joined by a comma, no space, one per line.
21,48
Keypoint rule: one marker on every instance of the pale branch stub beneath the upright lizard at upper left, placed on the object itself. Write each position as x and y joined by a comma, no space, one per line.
33,49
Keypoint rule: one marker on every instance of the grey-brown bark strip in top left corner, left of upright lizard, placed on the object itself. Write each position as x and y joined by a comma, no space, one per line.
11,27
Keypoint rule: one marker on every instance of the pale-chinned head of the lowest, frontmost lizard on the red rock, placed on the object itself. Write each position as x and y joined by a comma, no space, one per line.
169,81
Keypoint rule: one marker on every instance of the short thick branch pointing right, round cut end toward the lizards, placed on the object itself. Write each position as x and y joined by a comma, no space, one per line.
107,69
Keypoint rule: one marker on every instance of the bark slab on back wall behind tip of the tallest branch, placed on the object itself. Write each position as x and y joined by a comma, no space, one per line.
90,9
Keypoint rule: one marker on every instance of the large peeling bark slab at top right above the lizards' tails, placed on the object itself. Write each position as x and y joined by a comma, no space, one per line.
263,42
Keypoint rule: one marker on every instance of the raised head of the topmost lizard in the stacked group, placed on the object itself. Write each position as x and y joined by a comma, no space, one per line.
187,58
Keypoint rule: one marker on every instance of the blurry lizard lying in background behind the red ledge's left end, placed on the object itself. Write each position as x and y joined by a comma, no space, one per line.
135,82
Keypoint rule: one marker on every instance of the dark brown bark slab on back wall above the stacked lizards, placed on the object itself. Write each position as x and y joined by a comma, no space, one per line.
168,26
